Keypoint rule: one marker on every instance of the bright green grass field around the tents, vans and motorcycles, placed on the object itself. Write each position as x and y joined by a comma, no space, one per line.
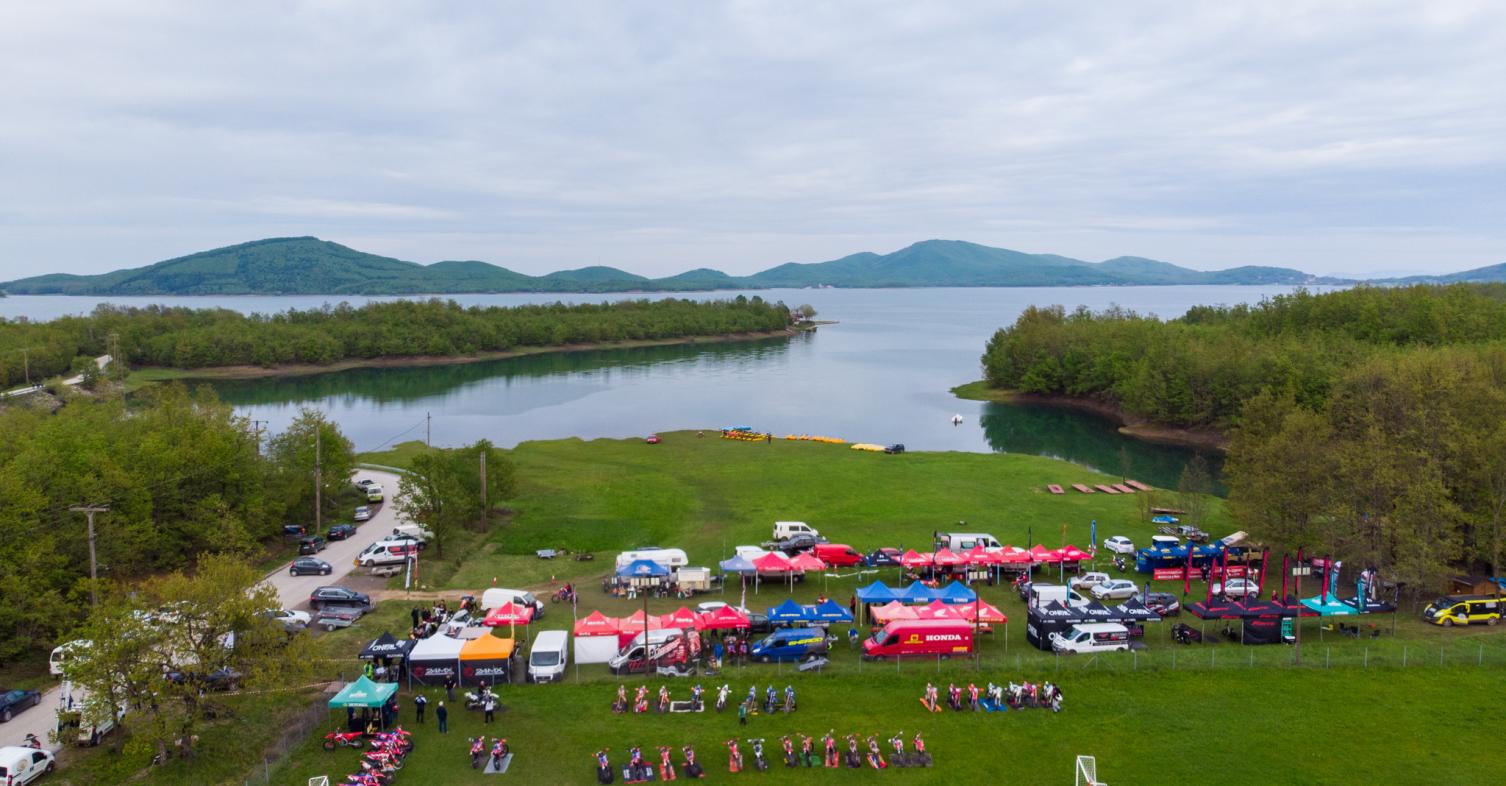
1407,707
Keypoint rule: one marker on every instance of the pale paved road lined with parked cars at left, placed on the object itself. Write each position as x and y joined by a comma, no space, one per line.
293,591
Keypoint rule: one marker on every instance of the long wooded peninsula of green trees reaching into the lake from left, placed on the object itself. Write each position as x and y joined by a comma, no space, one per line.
204,338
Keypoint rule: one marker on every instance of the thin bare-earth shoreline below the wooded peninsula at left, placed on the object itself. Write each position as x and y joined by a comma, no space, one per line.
160,374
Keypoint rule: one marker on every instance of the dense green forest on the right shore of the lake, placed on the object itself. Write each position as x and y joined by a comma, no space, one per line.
1365,422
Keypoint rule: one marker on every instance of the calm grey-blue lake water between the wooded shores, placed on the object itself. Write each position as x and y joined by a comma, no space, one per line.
882,374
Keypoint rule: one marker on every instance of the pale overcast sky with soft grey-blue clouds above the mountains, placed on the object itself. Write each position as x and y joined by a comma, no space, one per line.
1356,139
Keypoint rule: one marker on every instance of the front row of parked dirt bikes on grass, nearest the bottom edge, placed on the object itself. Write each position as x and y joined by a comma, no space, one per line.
796,755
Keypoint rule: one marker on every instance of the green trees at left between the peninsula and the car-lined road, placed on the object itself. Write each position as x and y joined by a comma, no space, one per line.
181,477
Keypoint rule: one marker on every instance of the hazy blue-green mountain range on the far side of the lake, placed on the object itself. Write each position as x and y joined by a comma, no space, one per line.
314,267
